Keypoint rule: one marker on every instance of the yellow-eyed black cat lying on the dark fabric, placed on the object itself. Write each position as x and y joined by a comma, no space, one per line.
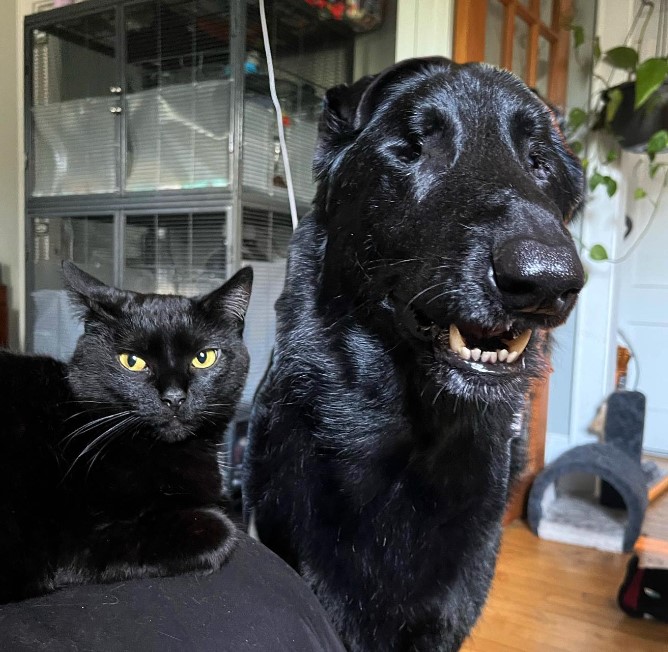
109,465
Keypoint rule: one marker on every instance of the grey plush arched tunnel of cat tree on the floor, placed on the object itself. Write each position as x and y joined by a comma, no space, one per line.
557,515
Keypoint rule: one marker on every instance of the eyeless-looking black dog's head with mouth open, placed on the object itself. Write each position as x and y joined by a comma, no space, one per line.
445,191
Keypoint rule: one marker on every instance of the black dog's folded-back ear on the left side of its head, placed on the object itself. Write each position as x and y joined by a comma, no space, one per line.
348,109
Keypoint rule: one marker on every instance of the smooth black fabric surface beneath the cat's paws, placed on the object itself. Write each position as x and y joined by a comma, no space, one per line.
255,602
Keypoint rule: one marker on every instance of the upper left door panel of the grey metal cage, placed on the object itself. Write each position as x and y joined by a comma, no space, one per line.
74,132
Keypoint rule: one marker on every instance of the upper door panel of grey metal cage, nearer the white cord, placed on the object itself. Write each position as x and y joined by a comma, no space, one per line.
178,94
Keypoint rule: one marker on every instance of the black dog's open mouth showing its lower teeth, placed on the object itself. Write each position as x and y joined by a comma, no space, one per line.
473,345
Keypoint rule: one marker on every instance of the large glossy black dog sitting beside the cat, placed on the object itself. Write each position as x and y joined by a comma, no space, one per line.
418,293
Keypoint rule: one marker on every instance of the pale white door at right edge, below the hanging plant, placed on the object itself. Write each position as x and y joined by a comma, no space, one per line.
643,305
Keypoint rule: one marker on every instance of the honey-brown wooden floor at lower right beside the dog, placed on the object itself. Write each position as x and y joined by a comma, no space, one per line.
552,597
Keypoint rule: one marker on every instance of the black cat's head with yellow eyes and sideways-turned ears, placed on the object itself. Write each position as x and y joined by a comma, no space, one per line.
169,366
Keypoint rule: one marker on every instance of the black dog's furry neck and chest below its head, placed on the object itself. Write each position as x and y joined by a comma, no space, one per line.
381,472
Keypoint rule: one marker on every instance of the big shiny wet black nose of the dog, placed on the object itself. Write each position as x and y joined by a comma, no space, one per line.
536,277
